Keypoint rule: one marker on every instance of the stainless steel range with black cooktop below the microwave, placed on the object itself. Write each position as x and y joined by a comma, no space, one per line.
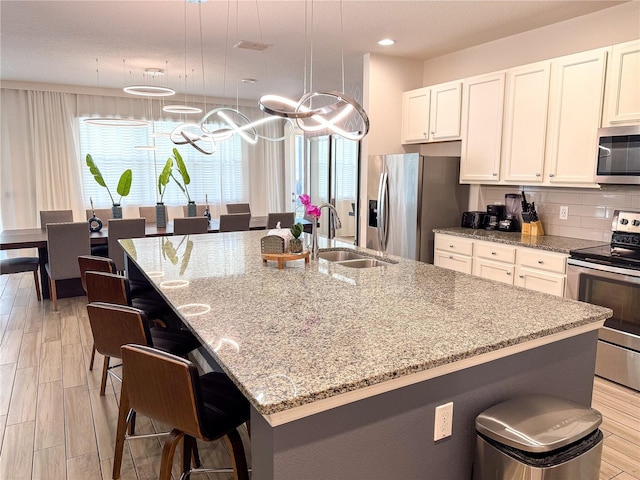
609,275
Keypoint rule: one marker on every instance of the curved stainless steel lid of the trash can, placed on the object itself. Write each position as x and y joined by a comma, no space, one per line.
537,423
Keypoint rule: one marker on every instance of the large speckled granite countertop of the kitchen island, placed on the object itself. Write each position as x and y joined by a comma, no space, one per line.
294,336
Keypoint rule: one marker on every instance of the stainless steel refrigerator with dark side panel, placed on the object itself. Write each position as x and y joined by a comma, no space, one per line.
408,195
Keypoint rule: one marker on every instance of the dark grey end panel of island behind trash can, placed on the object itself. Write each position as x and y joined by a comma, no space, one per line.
391,435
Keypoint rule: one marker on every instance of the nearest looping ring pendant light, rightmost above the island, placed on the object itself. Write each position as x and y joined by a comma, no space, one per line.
335,107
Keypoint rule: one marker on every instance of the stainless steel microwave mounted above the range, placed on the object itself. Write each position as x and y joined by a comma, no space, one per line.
618,155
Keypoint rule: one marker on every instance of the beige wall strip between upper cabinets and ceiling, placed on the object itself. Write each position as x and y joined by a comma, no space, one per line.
603,28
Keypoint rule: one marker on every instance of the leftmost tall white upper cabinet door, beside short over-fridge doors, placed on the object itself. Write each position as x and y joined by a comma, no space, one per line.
482,103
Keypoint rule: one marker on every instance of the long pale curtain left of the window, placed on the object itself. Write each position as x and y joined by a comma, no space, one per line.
39,164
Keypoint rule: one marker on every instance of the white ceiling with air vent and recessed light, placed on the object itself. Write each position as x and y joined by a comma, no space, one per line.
59,41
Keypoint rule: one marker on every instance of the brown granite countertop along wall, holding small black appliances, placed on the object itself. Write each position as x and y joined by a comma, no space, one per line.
546,242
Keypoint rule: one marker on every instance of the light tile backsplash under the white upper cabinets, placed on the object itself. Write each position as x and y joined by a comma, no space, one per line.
590,210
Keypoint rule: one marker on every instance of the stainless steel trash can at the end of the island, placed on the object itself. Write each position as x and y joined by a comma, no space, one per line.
538,437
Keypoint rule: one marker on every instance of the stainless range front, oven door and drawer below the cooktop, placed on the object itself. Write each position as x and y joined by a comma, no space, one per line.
618,356
